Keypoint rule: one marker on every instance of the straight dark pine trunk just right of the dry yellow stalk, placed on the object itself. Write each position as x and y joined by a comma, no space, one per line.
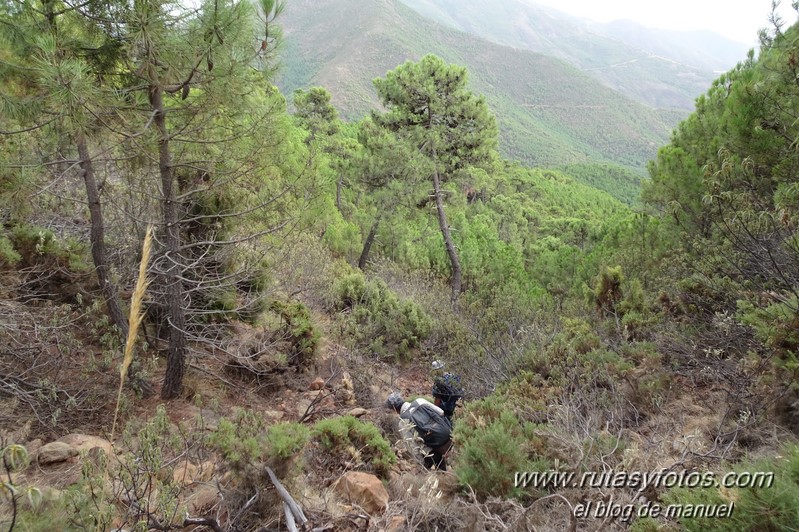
176,357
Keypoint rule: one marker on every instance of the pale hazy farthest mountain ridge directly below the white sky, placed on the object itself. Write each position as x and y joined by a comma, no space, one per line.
657,67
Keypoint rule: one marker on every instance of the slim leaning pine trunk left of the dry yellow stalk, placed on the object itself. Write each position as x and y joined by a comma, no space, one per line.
97,238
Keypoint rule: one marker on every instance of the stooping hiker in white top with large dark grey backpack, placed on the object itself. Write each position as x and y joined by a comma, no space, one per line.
427,432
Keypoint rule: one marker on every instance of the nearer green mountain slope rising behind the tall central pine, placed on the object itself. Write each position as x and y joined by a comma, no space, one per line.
549,112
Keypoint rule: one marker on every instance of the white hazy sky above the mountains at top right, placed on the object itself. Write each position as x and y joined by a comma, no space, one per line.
737,19
